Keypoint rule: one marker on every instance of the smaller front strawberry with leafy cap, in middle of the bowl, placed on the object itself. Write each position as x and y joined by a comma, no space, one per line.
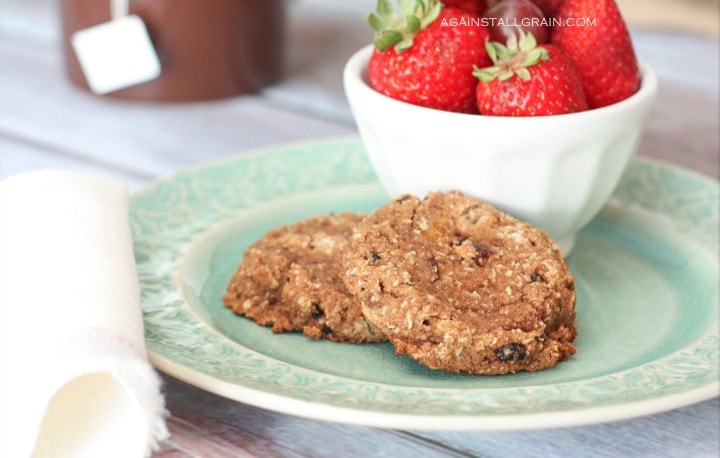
528,80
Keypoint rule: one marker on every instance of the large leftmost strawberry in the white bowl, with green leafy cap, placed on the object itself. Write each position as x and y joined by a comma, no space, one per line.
426,56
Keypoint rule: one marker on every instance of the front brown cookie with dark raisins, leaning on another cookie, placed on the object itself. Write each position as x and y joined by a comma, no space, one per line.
458,285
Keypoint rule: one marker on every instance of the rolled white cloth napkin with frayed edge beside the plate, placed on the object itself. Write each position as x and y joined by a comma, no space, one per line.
74,375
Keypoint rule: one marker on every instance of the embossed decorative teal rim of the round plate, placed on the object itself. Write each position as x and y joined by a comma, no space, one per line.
168,216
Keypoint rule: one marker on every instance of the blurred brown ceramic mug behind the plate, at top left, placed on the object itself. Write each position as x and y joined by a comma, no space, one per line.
208,49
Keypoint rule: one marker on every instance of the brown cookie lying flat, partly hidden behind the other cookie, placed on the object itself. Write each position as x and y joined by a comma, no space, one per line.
289,279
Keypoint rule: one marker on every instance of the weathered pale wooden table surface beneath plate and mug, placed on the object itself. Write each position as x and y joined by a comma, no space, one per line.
46,122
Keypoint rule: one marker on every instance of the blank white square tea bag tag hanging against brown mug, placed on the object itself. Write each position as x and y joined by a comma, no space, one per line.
116,54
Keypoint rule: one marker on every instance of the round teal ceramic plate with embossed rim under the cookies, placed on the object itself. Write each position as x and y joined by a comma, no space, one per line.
647,309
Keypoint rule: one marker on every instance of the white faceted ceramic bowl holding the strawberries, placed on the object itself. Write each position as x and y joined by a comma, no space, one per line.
555,172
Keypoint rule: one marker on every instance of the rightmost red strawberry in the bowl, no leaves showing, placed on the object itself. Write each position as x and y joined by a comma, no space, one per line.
601,50
